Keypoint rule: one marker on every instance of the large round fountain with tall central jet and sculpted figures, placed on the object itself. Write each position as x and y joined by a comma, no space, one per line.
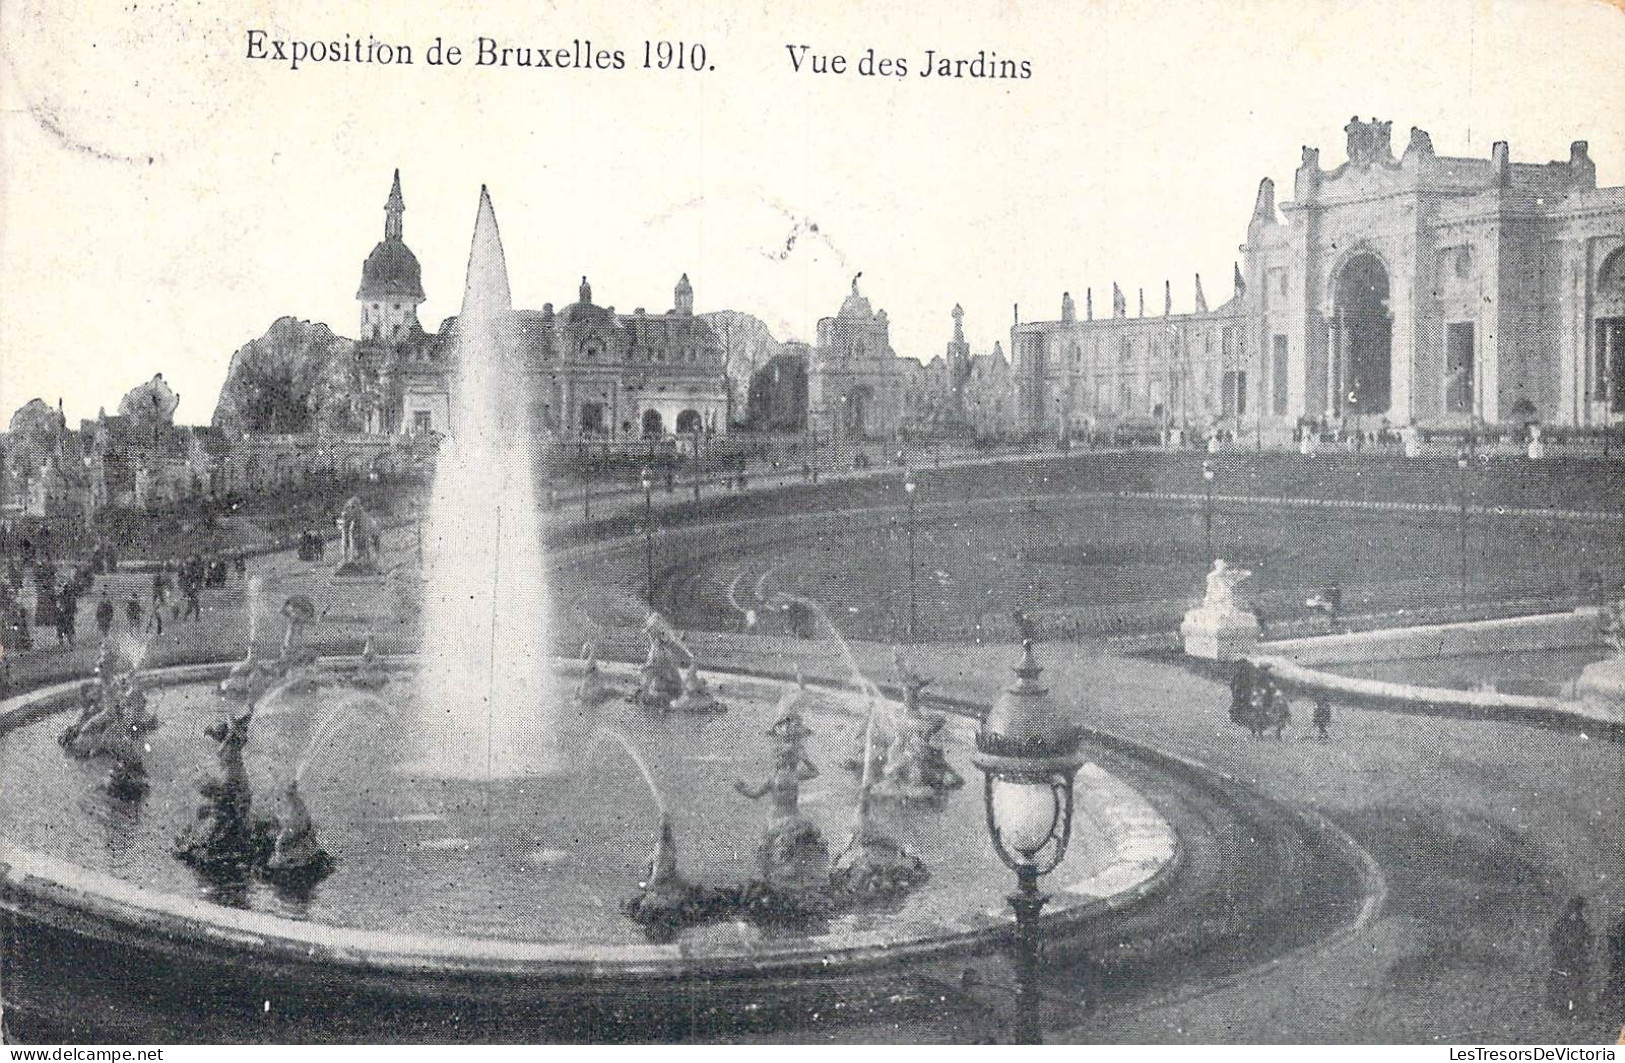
462,817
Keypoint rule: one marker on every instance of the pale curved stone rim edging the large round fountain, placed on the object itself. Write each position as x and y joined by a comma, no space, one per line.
102,906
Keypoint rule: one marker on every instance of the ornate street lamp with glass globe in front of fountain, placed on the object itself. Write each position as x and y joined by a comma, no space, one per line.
1028,753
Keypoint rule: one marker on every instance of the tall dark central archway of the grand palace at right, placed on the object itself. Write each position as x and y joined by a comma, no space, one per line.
1363,350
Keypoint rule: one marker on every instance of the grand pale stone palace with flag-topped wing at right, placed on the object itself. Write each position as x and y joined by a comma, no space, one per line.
1416,290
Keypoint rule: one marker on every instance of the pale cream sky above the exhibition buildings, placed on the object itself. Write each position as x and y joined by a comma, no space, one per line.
165,199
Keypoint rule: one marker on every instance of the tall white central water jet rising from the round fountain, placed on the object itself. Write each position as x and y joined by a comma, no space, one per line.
487,714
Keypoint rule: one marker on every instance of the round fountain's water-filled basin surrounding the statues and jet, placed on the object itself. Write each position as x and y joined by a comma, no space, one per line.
77,874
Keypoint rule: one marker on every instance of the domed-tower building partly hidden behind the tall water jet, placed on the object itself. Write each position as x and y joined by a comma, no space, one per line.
586,368
